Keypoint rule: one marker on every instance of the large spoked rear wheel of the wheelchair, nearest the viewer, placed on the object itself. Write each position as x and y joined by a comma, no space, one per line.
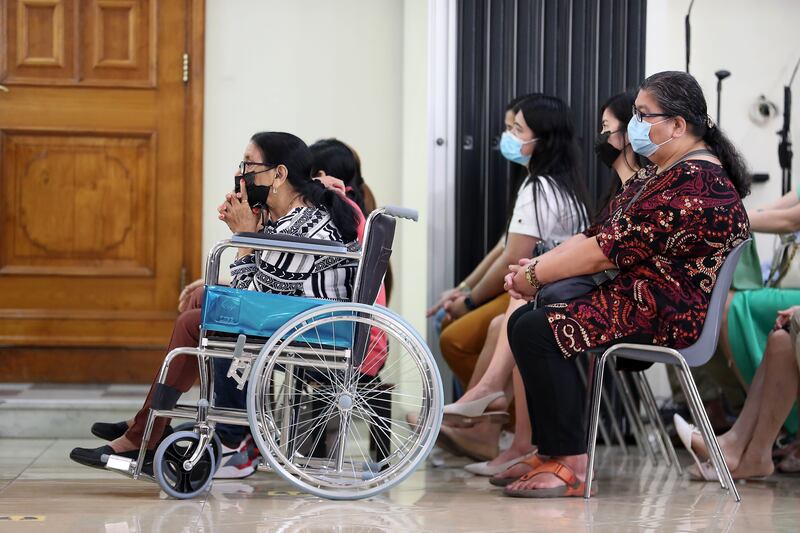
327,426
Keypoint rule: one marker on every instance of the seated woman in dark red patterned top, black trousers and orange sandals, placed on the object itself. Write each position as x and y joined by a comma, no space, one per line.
668,233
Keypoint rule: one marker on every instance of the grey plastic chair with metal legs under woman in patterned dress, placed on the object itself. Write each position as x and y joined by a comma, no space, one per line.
695,355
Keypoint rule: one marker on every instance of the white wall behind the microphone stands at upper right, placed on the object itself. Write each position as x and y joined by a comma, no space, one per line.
759,43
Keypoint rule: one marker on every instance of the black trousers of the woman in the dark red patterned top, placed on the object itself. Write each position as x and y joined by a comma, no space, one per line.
553,388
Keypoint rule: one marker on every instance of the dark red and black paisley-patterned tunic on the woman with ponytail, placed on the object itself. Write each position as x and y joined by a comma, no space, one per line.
668,244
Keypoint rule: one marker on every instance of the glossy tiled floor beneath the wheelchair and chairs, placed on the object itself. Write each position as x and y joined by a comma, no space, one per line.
39,482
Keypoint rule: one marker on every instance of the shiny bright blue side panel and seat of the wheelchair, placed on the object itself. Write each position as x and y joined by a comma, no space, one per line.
260,314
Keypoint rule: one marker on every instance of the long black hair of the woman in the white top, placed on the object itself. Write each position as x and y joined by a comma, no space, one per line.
555,154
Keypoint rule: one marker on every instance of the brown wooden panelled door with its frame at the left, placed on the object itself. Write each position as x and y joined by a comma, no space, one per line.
99,184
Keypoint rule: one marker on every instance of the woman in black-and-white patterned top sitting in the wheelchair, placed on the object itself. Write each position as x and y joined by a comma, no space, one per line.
281,197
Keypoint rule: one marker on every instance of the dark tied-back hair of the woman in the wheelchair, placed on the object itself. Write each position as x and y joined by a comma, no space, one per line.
285,149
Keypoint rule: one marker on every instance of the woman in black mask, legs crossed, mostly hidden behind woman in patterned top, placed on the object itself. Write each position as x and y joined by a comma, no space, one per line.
614,151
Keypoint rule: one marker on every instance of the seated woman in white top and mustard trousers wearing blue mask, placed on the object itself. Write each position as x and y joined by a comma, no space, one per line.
550,207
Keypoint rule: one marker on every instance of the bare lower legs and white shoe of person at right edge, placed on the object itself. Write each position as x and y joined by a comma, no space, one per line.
747,446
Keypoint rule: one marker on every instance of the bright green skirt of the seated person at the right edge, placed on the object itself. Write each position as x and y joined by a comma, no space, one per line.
751,317
